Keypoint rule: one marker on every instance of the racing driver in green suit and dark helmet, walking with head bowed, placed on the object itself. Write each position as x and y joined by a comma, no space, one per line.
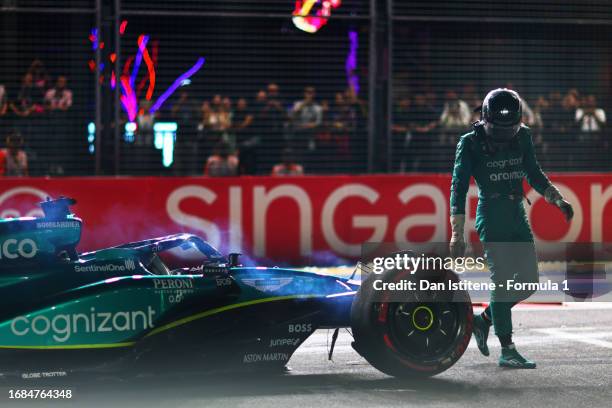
499,153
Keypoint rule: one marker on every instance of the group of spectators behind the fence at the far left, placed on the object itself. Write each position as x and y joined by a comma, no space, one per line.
37,117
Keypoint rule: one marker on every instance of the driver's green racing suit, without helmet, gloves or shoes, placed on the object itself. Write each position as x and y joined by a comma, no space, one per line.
501,220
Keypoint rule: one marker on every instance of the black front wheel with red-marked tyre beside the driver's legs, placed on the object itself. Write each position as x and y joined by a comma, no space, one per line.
414,333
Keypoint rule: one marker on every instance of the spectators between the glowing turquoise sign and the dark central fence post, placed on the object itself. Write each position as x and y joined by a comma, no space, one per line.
268,134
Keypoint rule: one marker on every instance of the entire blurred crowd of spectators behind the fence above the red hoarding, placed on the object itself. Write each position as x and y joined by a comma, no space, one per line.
272,133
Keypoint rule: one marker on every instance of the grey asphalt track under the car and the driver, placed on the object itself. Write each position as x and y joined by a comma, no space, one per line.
571,344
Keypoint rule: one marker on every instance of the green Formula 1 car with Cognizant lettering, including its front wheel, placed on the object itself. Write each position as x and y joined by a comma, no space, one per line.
176,303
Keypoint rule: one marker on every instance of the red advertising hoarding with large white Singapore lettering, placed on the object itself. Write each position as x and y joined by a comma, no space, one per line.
284,219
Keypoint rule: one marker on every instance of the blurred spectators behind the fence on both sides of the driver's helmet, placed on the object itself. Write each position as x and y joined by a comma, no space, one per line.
569,129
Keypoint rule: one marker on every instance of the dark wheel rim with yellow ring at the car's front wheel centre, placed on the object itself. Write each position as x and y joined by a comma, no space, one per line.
424,331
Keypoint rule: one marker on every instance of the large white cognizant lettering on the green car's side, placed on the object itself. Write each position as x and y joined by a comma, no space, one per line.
61,327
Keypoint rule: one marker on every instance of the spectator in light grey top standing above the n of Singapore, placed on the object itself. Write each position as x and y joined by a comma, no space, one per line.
306,117
